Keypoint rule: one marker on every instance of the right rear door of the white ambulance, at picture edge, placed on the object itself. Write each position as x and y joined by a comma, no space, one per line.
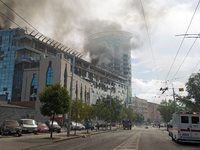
195,126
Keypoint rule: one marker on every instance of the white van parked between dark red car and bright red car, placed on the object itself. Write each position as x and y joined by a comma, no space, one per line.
28,126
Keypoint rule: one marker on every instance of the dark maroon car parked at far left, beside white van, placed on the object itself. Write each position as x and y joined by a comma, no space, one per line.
10,127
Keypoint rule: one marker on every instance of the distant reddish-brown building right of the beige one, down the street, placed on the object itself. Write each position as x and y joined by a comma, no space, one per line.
153,113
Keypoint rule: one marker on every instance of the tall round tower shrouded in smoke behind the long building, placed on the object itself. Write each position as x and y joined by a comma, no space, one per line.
111,50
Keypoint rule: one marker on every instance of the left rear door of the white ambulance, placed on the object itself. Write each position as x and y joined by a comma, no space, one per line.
185,125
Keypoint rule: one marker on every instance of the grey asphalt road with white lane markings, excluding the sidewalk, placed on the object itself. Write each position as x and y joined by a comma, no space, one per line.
136,139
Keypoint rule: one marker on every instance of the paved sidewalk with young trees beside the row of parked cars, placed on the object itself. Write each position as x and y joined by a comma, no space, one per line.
27,141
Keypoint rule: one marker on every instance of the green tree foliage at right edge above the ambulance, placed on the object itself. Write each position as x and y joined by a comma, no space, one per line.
192,100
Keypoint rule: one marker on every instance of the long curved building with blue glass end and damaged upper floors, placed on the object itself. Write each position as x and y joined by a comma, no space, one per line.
21,64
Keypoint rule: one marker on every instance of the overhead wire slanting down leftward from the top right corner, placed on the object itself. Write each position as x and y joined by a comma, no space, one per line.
182,40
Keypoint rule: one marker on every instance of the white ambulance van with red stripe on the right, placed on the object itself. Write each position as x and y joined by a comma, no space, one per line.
185,127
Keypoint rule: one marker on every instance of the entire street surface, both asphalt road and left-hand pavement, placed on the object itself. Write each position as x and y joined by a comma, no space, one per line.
135,139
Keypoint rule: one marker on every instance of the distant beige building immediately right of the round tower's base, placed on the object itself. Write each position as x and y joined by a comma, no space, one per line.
140,106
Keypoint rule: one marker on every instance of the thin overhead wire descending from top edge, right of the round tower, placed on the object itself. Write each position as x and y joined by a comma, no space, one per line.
149,39
